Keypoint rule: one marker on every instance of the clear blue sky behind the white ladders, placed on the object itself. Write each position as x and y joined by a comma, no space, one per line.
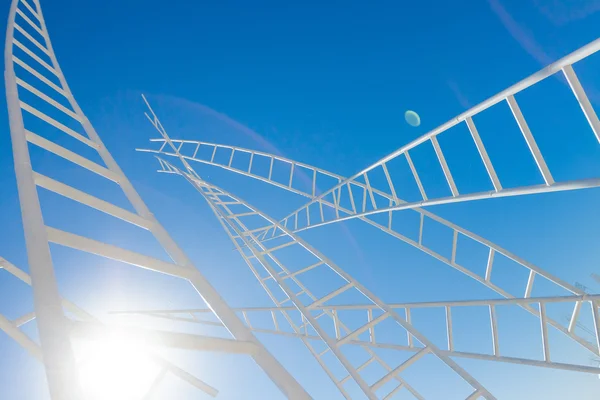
325,83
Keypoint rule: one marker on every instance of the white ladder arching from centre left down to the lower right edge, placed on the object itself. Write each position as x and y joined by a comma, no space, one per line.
457,231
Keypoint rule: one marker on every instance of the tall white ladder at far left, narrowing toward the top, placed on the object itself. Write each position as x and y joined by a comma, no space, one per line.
55,344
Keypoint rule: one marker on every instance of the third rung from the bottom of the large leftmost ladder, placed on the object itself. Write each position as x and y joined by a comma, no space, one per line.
90,201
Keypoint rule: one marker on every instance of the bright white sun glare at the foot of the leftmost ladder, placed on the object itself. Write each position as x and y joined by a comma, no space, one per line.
115,368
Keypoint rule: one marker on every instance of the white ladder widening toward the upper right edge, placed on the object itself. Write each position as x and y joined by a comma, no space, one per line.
360,181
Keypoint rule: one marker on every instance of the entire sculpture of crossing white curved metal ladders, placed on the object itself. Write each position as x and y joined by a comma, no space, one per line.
342,323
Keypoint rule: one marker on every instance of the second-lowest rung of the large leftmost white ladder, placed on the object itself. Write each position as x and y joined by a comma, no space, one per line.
114,253
